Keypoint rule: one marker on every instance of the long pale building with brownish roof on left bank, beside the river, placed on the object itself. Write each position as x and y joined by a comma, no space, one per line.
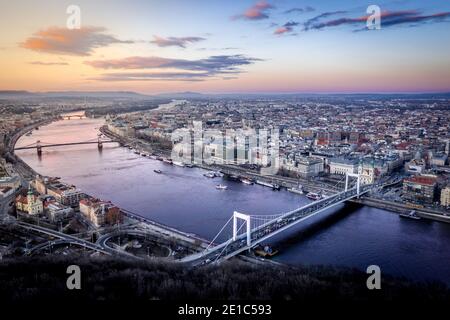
65,194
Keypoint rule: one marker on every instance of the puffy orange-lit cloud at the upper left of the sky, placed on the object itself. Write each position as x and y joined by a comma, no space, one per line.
78,42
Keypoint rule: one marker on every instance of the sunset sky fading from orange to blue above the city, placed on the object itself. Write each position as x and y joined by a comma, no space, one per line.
234,46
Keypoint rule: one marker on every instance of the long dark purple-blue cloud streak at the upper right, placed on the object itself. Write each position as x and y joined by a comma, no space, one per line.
388,19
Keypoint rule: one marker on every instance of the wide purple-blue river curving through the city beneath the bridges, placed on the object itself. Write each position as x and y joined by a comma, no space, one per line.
350,235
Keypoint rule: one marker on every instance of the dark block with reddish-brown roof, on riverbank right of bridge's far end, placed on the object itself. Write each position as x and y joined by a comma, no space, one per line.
421,188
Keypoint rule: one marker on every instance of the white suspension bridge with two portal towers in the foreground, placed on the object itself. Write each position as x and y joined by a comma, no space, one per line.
259,228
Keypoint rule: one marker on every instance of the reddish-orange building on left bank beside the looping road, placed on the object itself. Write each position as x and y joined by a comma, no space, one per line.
100,212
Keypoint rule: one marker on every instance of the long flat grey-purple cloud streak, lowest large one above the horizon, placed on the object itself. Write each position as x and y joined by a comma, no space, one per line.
185,70
